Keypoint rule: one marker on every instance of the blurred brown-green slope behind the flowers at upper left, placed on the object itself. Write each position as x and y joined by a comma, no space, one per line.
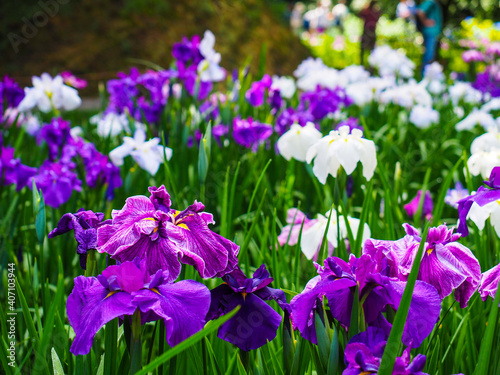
99,37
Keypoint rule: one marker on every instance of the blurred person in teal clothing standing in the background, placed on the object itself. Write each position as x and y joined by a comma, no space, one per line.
430,18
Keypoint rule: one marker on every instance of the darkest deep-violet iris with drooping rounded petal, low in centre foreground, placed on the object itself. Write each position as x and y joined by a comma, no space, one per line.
256,322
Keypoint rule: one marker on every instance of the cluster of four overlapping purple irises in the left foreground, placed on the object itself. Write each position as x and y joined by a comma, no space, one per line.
150,241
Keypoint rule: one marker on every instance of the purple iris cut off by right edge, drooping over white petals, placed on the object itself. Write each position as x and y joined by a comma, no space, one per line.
482,198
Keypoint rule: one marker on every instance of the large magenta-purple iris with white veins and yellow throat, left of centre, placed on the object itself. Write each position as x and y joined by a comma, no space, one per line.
150,229
